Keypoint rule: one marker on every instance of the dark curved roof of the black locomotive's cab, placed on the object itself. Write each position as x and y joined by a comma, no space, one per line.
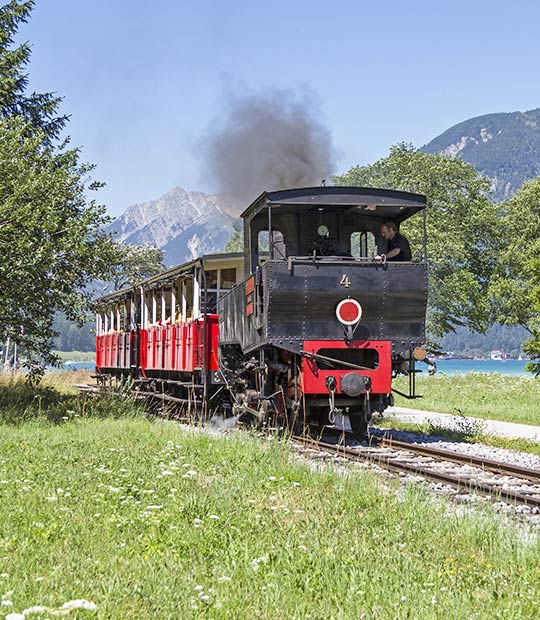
384,203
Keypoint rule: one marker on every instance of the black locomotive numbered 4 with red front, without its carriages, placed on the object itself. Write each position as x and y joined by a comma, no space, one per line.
329,323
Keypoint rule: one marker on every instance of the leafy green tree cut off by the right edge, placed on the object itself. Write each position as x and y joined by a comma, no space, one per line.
515,285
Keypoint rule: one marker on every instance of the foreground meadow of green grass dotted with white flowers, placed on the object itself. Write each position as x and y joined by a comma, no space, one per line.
141,519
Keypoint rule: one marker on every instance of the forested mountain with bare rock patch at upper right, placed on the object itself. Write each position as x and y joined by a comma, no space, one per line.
502,146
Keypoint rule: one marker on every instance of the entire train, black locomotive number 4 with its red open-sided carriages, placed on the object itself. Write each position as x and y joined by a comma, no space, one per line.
304,326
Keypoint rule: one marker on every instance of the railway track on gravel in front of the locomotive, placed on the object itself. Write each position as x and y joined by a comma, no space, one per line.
468,474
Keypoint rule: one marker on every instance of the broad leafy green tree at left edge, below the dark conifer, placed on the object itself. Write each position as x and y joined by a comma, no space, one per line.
51,239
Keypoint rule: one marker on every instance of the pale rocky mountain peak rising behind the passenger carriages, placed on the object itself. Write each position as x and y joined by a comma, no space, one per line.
184,224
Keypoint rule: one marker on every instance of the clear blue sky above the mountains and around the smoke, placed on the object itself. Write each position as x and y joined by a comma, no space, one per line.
144,81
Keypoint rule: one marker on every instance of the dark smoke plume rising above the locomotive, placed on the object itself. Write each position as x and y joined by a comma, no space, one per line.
270,141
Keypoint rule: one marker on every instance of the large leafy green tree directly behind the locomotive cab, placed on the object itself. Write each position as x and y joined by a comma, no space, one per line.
460,225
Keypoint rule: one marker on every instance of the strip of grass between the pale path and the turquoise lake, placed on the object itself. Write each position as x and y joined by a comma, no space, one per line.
487,396
